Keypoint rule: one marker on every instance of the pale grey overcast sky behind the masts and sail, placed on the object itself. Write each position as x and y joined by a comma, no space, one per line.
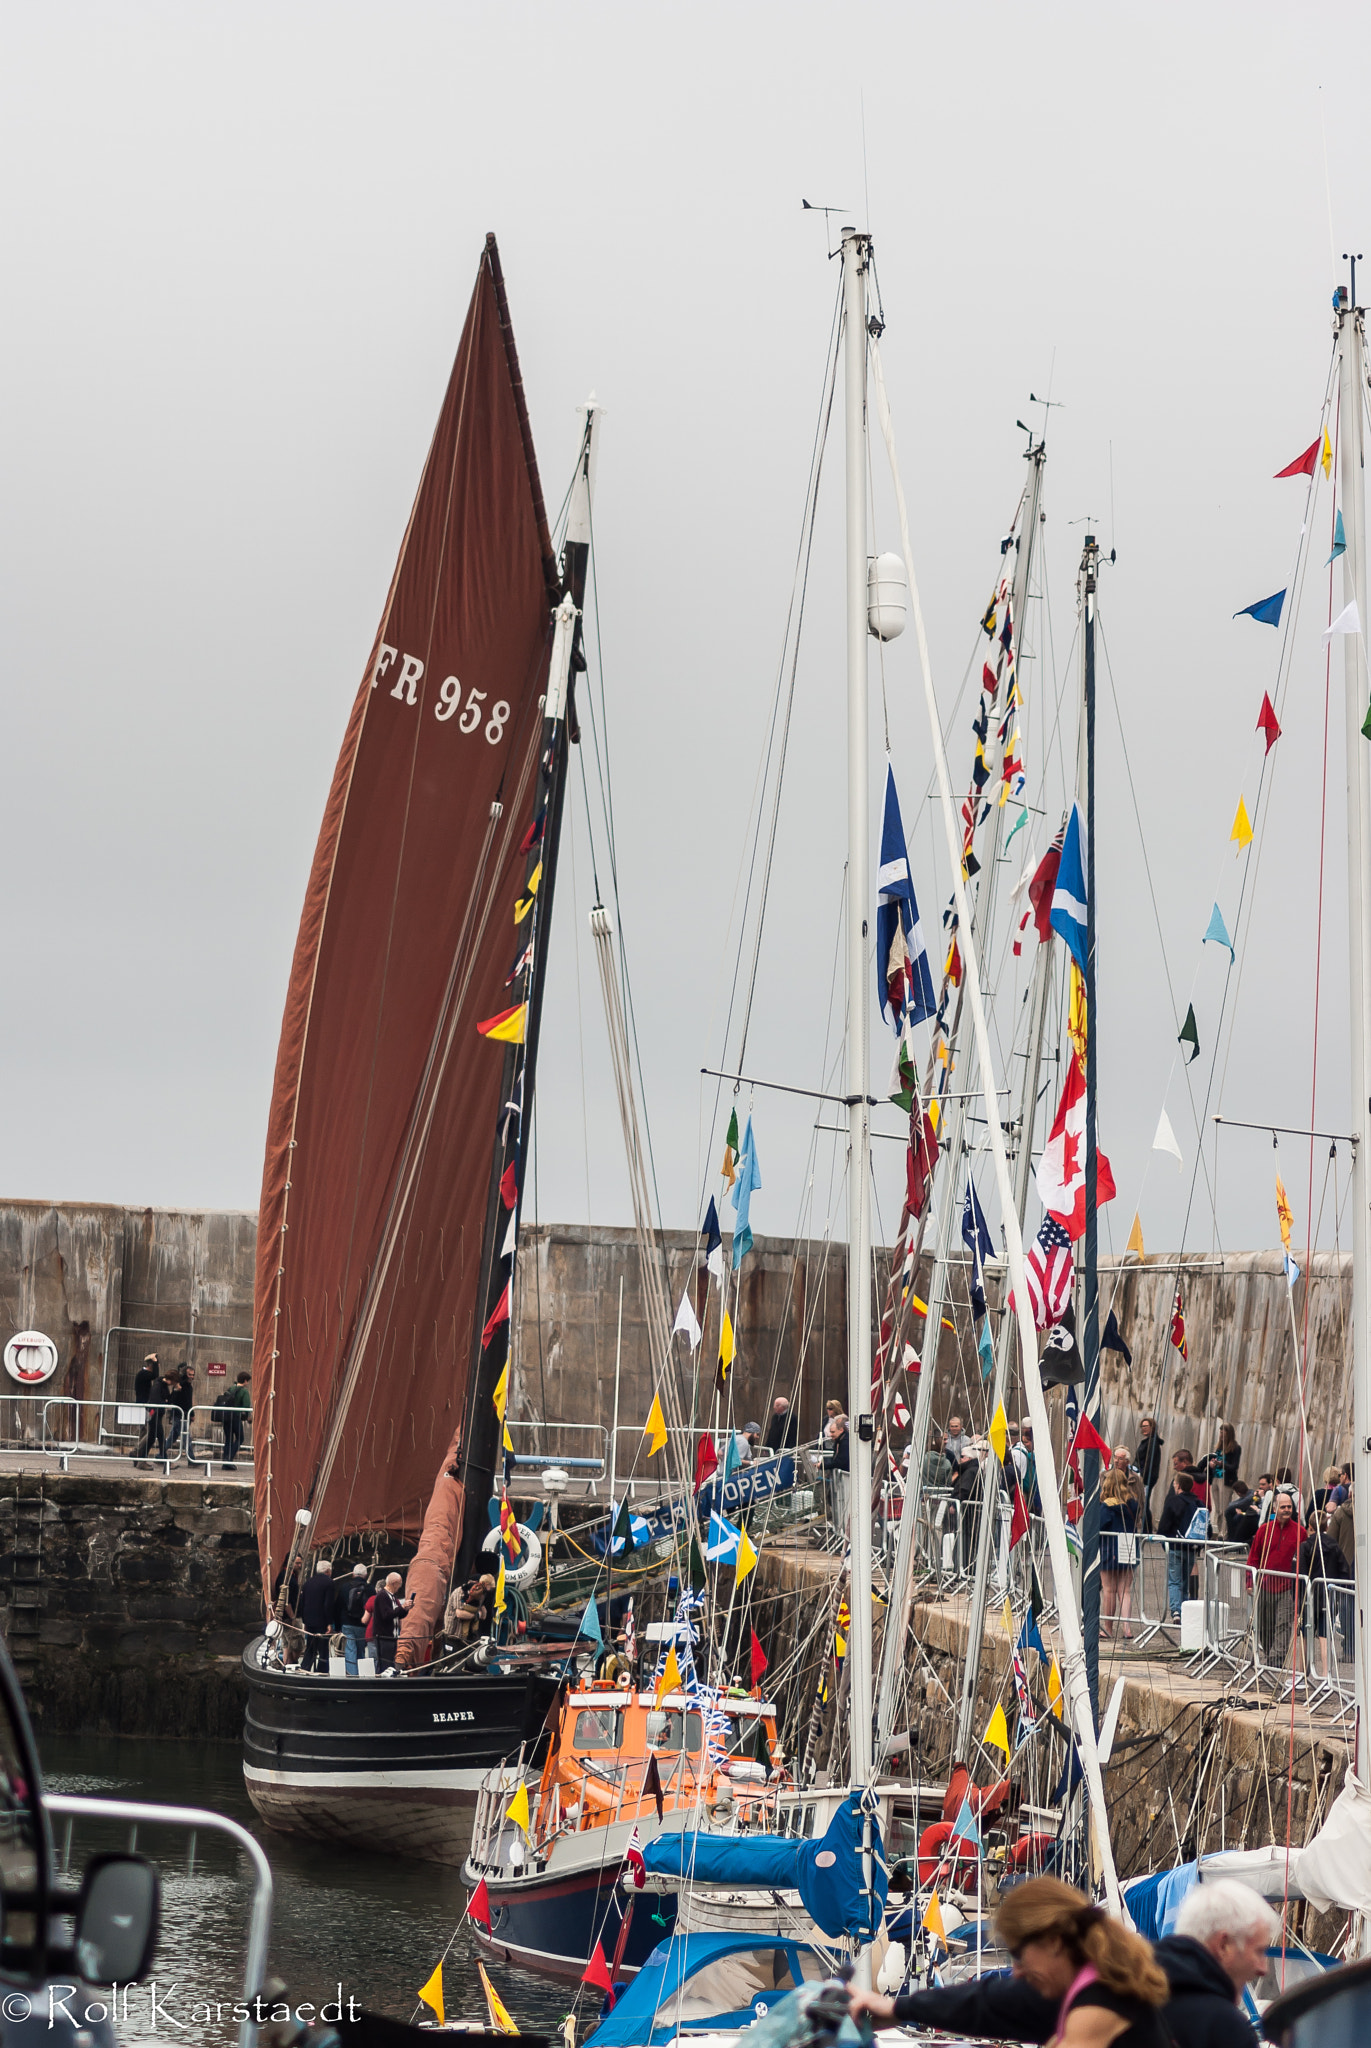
239,247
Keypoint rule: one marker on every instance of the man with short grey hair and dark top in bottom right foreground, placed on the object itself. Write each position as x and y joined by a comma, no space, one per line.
1220,1945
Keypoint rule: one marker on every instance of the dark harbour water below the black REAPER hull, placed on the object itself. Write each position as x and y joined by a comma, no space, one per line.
372,1926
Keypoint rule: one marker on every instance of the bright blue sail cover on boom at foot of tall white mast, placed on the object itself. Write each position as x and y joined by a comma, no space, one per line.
825,1873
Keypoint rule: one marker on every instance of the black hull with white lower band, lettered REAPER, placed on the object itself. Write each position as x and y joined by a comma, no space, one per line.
390,1766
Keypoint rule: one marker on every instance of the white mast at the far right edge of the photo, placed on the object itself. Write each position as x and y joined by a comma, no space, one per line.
1354,478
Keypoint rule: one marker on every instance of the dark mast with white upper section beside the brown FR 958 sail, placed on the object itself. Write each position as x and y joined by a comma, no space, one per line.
481,1441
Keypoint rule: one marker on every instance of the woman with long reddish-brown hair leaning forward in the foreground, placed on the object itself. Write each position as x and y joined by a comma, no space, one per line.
1081,1981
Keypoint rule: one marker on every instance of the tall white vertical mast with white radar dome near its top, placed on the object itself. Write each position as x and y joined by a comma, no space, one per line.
862,1433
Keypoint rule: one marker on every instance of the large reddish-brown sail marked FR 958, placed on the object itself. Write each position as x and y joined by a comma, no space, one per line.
386,1099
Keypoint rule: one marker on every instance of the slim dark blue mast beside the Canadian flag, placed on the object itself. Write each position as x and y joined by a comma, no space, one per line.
1091,1281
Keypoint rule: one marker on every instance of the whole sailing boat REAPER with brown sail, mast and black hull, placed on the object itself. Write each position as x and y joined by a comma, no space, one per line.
401,1115
